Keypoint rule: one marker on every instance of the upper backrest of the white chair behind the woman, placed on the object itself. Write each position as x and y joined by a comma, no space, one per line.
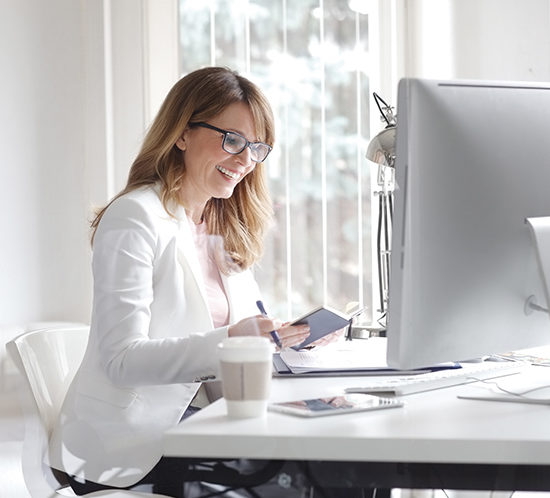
48,359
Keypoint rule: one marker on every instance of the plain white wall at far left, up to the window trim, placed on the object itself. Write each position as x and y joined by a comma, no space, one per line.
43,255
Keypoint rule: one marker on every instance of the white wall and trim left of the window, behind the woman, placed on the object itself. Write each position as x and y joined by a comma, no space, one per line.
73,116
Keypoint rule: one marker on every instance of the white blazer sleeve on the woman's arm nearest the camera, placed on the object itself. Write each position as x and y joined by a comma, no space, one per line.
124,254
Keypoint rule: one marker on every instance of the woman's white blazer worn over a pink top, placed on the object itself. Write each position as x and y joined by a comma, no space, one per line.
151,342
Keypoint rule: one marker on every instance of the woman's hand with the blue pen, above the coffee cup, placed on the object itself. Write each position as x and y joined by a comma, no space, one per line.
290,335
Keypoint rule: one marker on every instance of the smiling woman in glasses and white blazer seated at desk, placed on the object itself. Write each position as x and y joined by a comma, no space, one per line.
172,255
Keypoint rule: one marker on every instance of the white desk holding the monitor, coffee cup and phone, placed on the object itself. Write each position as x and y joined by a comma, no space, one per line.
433,428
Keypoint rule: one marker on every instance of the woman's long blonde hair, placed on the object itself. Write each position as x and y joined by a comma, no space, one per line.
240,220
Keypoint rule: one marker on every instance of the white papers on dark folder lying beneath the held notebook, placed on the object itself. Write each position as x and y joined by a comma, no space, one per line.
360,355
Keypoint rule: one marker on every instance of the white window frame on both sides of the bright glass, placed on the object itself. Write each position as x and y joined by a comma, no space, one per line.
149,48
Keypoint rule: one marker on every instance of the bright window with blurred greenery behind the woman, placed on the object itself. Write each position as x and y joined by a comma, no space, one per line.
311,58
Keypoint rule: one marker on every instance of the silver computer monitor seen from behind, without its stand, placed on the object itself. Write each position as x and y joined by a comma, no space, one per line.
472,163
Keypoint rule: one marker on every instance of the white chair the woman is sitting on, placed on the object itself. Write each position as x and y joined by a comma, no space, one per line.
48,360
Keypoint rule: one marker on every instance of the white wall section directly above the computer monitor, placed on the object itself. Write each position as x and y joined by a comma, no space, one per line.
475,39
